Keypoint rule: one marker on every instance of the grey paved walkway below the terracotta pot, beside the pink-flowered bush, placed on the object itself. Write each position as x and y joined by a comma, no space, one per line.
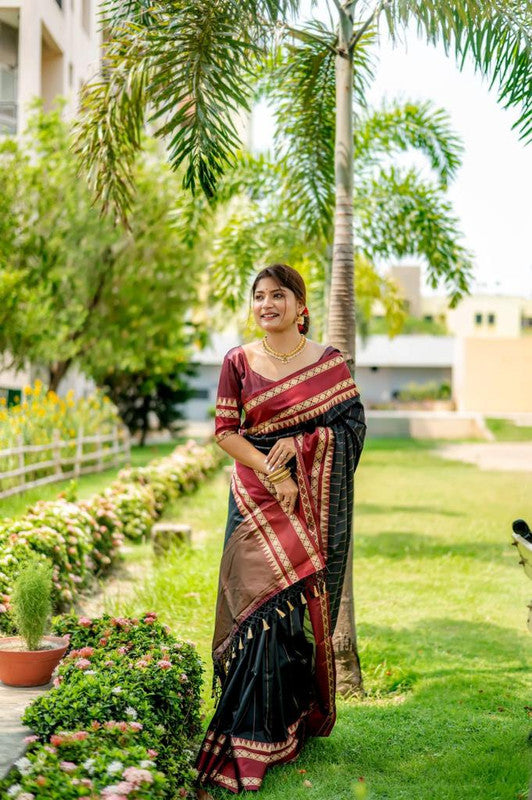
13,701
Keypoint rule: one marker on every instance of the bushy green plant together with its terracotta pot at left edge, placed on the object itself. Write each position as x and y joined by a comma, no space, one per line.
30,659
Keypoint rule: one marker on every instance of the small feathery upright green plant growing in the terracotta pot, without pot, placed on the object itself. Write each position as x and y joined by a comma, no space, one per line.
31,600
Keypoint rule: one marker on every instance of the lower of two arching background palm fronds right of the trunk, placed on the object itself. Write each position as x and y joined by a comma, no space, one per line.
398,214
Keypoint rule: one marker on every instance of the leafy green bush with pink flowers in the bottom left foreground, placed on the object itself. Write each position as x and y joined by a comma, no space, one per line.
126,699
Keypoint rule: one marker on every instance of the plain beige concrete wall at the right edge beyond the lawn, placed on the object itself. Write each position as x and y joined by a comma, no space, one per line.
495,375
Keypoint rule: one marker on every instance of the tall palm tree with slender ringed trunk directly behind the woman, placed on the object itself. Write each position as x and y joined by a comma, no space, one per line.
189,67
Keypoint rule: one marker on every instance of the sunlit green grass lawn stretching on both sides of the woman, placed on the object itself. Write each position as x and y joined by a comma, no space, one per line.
441,611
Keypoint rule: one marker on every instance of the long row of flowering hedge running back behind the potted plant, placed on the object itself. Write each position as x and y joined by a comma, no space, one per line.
84,538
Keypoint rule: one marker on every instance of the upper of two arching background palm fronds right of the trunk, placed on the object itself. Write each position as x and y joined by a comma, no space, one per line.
398,127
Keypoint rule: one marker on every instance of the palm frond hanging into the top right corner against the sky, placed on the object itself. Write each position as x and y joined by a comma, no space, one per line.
497,34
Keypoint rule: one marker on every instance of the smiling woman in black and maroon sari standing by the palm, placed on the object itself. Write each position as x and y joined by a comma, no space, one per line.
287,536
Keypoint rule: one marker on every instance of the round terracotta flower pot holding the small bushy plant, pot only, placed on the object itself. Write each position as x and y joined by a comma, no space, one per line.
30,667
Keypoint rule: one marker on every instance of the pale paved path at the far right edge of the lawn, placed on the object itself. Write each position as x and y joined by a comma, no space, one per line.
506,456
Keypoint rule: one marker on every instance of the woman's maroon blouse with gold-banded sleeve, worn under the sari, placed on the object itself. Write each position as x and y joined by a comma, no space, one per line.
237,383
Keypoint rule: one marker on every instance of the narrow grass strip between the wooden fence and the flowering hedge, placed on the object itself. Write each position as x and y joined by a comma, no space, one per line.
87,484
